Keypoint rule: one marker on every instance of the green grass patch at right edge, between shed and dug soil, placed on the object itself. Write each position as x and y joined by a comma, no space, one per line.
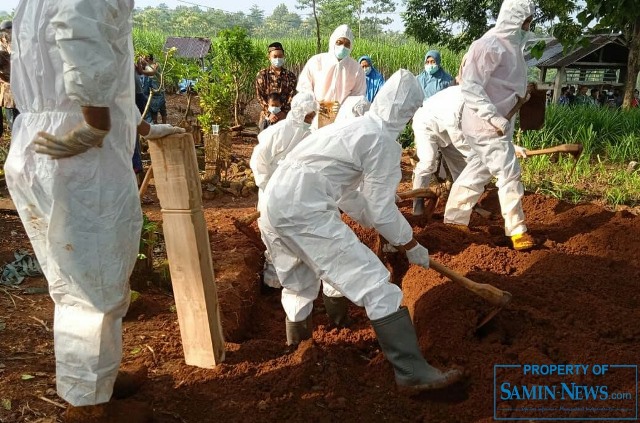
611,139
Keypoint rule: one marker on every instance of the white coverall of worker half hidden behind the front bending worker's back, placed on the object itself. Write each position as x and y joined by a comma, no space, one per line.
273,145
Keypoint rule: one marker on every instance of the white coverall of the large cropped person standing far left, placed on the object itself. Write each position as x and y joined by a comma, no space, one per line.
82,213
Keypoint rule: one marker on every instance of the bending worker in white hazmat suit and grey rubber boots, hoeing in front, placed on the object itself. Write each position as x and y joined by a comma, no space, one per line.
353,166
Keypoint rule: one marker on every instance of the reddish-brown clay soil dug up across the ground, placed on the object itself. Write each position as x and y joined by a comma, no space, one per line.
575,300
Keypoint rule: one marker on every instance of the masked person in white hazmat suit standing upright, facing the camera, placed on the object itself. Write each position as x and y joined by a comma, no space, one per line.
333,76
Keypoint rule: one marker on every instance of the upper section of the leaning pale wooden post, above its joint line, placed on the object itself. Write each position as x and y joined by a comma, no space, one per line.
175,172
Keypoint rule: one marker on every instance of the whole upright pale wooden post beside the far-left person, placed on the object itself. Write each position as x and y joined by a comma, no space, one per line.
187,240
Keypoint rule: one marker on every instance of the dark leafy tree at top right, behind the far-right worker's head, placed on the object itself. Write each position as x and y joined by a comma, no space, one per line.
456,23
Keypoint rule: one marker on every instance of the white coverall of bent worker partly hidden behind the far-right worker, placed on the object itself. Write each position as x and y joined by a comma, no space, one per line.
436,126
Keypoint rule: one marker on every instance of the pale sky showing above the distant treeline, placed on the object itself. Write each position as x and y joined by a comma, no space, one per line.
229,6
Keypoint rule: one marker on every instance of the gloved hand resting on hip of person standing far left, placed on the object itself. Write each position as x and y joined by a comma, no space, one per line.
77,141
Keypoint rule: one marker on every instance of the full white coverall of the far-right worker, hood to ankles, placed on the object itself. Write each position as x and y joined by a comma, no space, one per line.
493,74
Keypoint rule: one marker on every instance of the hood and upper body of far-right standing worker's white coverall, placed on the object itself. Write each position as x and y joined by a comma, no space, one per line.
495,71
